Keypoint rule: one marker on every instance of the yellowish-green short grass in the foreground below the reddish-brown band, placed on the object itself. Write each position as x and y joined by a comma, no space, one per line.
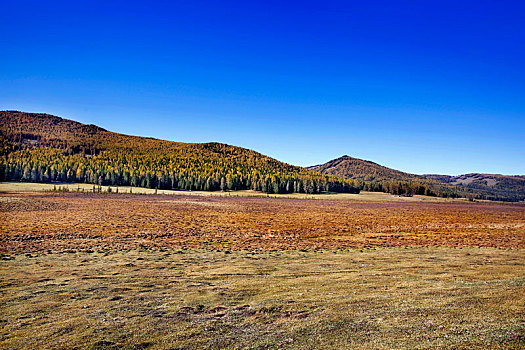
389,298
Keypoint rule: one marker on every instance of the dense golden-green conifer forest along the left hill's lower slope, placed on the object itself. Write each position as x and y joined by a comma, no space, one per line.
163,172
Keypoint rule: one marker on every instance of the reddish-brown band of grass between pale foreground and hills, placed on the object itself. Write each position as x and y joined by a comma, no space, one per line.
56,222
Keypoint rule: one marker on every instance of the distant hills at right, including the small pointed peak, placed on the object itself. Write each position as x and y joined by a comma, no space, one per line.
380,178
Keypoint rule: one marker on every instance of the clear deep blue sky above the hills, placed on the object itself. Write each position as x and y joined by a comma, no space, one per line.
420,86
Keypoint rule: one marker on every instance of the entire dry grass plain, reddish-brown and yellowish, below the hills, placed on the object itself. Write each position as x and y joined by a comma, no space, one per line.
173,271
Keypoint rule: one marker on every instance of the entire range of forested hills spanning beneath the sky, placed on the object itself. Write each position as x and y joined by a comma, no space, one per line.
43,147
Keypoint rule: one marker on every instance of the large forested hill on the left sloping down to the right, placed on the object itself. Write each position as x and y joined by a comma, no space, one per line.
45,148
